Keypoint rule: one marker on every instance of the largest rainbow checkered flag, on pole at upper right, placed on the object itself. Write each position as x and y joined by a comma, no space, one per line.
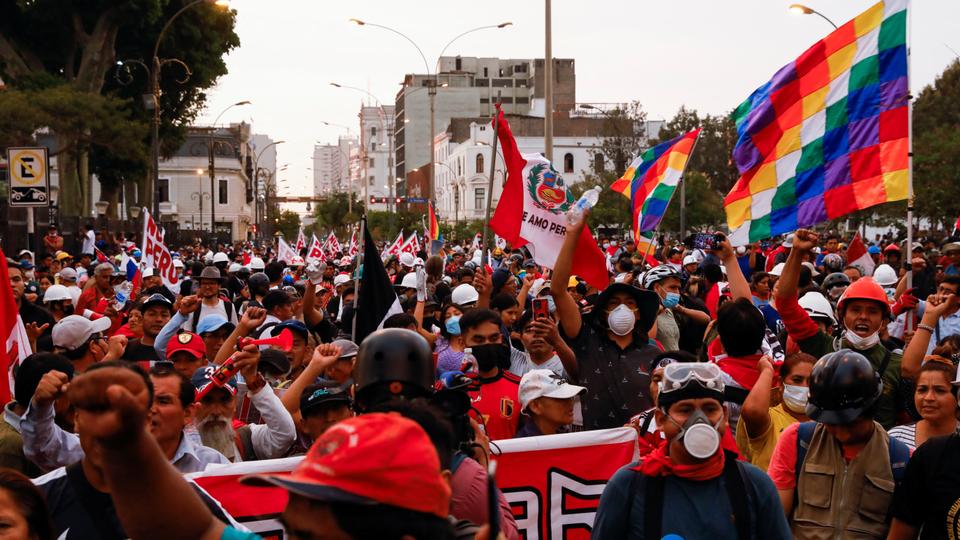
828,134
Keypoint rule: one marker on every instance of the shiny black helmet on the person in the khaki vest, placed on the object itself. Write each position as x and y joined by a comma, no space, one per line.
843,385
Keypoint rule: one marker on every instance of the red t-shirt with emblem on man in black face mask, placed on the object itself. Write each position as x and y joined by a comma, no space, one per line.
498,400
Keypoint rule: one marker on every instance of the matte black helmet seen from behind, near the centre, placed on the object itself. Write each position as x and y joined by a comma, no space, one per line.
392,363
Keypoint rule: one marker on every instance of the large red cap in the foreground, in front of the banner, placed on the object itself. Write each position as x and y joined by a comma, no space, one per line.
376,458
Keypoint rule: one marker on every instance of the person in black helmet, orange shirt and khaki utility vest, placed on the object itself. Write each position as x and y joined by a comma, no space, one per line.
836,475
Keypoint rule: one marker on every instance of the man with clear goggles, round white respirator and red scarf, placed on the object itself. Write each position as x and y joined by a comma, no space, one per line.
689,486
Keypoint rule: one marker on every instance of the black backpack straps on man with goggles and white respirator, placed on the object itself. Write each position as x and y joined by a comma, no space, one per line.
740,491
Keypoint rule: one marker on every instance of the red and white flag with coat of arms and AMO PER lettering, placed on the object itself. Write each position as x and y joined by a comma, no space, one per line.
532,210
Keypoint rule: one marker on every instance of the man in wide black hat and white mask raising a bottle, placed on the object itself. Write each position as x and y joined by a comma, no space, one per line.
613,351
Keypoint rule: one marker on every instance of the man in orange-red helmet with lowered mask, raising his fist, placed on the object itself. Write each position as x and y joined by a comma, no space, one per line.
862,310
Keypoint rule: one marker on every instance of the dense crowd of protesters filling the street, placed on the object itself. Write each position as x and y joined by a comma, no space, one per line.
777,390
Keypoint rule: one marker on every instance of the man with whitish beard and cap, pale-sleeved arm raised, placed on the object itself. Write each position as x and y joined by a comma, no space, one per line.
214,417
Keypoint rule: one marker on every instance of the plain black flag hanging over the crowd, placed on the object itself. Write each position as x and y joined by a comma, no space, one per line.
376,299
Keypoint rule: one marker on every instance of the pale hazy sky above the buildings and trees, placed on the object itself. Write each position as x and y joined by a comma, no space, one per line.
706,54
